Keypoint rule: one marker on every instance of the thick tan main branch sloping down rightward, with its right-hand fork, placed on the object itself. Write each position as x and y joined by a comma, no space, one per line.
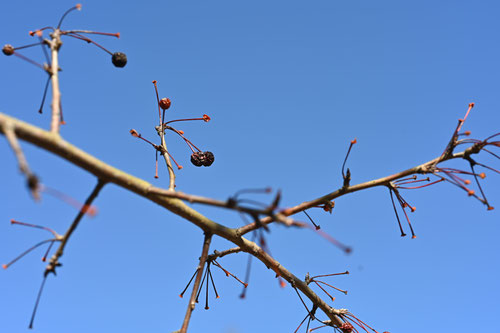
53,143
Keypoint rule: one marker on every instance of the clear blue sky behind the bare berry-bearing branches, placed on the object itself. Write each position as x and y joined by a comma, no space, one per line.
287,84
